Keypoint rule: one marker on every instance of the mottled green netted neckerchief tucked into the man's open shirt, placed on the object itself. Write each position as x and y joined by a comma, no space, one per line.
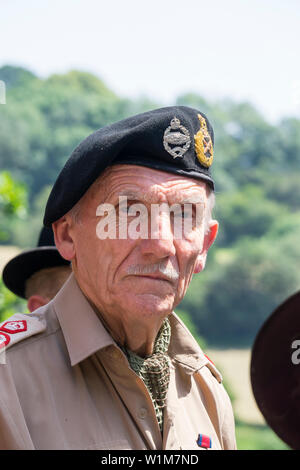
154,370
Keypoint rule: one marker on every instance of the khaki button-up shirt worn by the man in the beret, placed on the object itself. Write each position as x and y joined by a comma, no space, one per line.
67,385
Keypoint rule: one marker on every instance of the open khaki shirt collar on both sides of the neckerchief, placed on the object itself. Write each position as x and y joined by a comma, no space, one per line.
85,334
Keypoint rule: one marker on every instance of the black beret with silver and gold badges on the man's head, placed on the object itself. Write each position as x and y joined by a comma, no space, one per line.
176,139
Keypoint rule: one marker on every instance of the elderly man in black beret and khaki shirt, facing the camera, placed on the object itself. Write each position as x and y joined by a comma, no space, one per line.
108,364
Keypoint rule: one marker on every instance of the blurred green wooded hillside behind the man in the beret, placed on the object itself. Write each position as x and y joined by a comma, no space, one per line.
253,265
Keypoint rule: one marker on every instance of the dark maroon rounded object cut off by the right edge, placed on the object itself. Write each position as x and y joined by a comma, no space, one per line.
275,371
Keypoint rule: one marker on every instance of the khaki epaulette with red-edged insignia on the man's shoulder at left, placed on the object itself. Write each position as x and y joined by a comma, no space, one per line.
19,327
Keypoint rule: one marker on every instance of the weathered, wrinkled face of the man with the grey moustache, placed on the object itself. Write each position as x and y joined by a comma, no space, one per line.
145,277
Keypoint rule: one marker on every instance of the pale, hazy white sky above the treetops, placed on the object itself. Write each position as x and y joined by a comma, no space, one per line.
241,49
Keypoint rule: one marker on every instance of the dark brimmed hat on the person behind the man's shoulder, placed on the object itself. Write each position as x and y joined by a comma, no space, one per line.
21,267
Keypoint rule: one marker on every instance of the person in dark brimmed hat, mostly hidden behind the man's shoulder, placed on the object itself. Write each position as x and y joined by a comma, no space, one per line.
37,275
